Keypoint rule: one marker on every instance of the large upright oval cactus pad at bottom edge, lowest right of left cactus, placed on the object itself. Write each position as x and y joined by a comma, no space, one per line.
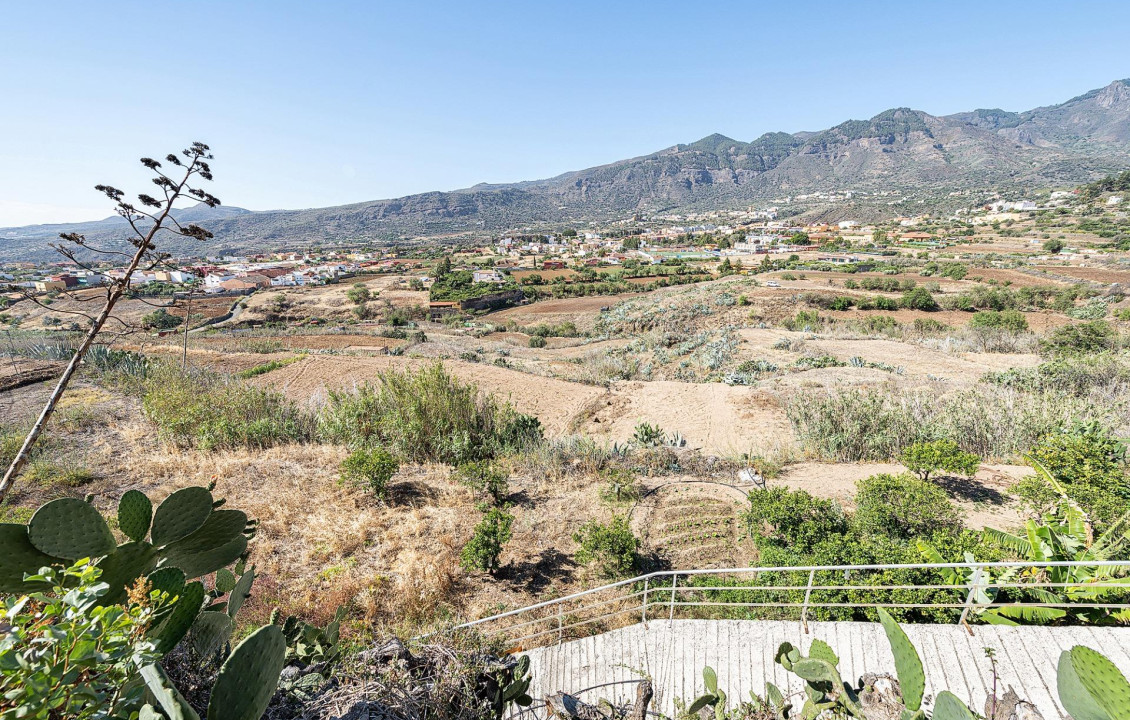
249,678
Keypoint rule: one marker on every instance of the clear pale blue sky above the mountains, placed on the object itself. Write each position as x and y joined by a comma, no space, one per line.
311,105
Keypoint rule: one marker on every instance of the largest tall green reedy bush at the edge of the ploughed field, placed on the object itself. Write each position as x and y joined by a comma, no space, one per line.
427,415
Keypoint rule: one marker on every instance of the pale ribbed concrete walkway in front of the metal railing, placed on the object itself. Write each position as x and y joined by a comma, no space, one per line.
674,654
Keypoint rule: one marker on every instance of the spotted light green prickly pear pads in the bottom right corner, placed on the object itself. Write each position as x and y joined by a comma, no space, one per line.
1091,687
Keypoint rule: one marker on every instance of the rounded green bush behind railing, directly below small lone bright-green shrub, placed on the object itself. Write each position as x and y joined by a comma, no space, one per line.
903,507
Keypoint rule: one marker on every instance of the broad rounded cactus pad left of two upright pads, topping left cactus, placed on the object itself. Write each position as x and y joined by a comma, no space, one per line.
72,530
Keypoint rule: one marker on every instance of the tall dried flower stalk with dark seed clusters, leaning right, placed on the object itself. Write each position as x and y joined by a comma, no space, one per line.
147,228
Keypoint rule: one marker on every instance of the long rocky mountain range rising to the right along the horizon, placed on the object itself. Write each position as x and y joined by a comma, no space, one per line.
899,162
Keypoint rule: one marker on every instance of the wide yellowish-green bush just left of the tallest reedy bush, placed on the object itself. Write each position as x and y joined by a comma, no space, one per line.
211,412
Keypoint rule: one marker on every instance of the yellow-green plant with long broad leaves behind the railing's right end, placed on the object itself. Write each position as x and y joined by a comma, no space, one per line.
1064,534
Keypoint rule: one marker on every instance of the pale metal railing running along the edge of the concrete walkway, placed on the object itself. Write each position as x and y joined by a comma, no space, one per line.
798,593
